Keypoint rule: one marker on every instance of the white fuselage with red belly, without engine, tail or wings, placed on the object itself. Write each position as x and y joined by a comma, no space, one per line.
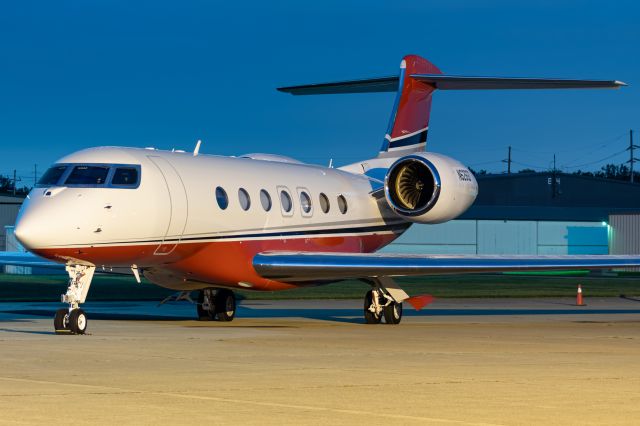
172,226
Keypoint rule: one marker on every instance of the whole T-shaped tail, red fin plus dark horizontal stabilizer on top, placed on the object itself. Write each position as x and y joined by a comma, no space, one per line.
414,86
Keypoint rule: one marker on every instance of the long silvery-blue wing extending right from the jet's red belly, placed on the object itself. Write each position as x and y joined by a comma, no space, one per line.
306,266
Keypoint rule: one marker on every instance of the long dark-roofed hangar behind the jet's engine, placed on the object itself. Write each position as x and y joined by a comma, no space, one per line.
532,213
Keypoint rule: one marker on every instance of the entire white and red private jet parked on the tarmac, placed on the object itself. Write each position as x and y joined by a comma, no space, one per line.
214,224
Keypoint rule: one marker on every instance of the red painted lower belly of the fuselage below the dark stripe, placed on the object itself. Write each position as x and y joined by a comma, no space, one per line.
224,263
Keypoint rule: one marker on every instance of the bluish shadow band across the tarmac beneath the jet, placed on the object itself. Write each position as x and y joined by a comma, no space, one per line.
339,315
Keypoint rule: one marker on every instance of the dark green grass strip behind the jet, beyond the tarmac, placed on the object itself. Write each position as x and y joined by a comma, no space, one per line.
109,287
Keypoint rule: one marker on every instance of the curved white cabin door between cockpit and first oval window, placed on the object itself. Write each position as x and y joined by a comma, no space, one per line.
178,205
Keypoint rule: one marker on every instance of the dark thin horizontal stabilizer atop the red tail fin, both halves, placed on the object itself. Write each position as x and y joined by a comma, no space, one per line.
449,82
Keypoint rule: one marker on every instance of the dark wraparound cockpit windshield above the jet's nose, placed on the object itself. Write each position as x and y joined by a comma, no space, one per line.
92,175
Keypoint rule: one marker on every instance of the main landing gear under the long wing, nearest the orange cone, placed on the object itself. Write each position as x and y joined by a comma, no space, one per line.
384,300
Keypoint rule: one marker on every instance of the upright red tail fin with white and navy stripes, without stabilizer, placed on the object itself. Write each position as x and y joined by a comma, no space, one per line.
409,122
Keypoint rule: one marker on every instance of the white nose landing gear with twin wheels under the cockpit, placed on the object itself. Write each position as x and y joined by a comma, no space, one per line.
73,319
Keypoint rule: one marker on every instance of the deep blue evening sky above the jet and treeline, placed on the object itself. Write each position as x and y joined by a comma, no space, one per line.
76,74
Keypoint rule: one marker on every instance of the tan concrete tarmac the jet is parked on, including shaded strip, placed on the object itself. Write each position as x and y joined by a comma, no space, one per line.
475,362
